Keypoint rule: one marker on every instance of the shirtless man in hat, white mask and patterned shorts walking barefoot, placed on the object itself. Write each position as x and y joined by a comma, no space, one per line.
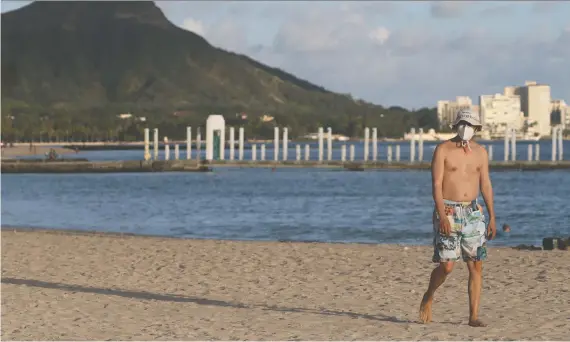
460,168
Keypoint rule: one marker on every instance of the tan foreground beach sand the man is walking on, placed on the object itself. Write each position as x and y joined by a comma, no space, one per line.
70,286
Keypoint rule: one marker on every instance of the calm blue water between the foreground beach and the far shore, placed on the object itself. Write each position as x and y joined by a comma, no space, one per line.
286,204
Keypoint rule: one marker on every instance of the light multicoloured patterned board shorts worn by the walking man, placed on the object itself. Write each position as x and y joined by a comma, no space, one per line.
468,233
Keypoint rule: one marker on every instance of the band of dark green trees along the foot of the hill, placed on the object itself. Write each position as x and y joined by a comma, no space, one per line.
21,123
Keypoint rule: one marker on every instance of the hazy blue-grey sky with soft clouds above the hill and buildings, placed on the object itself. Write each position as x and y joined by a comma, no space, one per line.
393,53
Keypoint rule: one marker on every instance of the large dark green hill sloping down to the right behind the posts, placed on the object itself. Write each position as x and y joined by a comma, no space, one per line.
69,68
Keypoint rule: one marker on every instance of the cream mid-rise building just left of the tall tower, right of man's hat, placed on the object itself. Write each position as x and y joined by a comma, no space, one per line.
499,112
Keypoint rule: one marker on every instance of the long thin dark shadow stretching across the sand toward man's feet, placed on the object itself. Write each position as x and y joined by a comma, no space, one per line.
186,299
